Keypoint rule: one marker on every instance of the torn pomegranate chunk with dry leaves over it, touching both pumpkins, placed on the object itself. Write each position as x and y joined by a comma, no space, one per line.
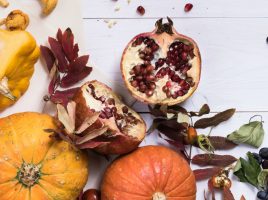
126,129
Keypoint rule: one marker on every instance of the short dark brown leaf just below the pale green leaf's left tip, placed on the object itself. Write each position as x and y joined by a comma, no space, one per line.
221,143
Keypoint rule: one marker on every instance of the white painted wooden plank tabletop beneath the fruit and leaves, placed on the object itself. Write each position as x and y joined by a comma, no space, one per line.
232,39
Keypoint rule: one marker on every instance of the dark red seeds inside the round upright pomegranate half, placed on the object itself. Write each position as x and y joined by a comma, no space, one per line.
144,76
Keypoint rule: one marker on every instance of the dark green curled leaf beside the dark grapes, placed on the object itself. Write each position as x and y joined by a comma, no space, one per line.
248,170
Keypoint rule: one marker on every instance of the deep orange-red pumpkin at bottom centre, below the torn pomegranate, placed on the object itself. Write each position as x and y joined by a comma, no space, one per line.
149,173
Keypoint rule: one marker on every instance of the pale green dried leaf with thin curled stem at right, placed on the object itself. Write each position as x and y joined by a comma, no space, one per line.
251,134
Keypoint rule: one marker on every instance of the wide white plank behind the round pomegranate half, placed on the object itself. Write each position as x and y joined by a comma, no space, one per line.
234,71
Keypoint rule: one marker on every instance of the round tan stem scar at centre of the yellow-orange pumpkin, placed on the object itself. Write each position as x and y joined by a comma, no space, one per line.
29,174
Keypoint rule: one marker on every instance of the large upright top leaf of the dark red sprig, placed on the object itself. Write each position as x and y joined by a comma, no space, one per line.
68,45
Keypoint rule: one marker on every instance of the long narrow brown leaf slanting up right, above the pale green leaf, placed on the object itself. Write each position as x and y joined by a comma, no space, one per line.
215,120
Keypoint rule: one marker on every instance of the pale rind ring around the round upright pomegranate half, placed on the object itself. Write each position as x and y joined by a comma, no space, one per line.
194,72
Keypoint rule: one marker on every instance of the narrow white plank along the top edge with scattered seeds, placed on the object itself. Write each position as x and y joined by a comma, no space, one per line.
175,8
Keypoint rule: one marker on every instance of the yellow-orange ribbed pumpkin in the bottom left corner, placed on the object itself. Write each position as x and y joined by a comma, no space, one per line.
36,166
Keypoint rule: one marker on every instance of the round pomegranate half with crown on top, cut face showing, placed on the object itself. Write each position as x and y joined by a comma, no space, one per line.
161,67
